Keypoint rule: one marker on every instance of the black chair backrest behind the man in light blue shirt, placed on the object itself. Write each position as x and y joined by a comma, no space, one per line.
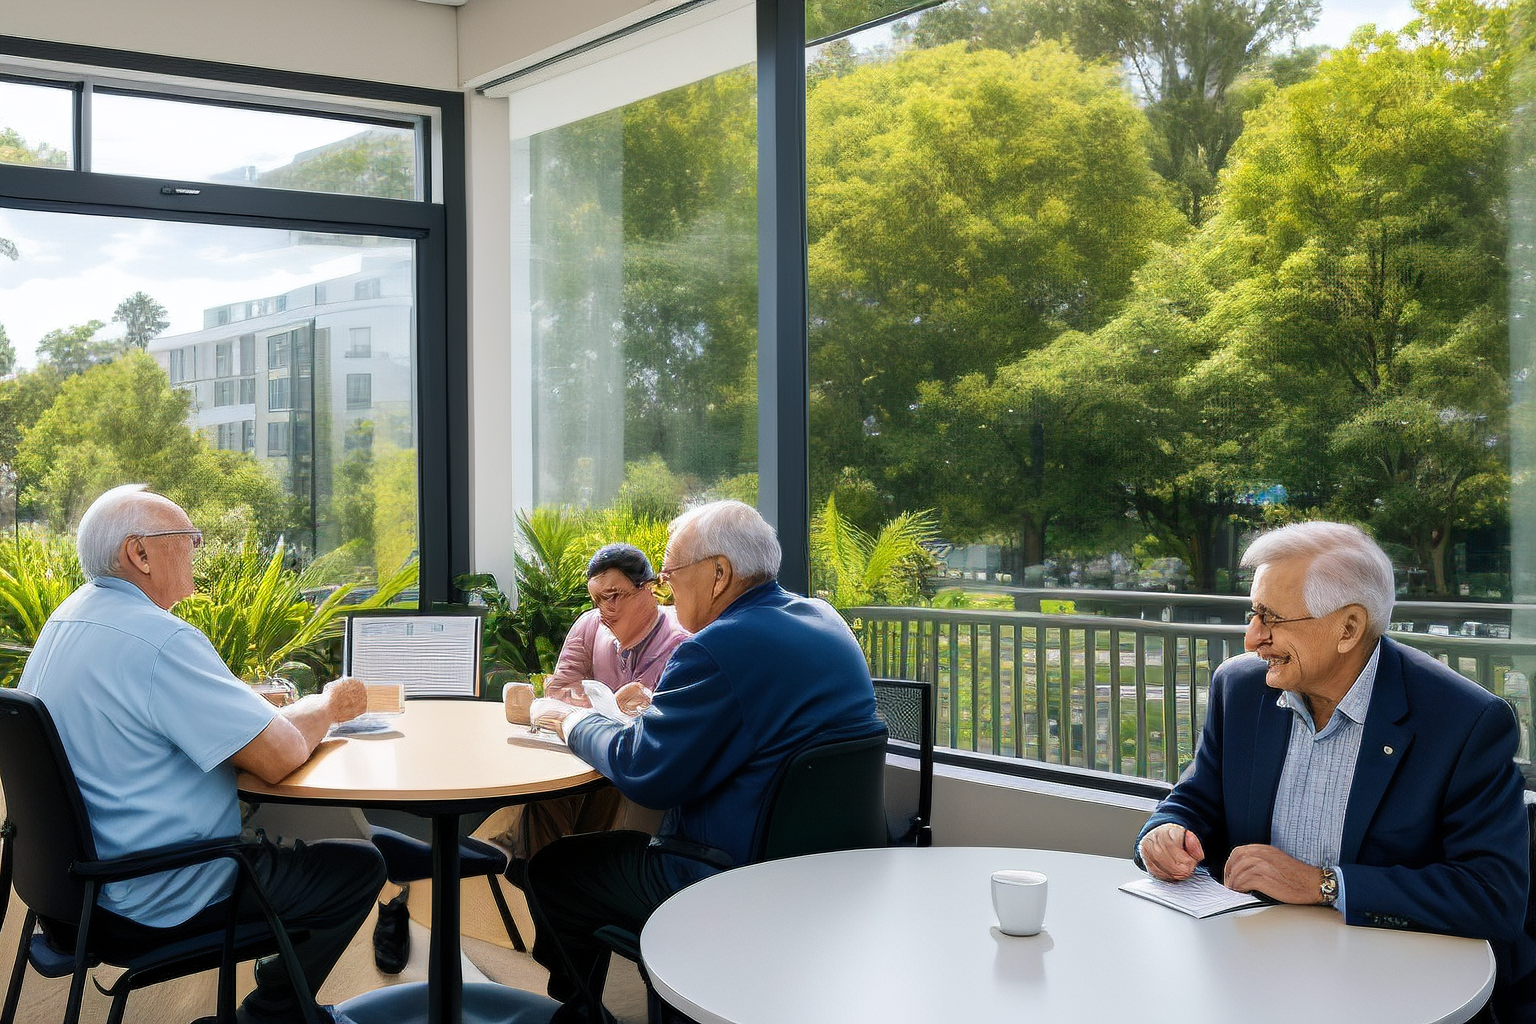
44,804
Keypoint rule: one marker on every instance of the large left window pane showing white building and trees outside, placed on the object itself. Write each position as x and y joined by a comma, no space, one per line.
208,363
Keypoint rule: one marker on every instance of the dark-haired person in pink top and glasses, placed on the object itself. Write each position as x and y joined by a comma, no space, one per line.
624,644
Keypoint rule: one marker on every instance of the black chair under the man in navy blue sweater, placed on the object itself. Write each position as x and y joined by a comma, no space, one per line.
830,796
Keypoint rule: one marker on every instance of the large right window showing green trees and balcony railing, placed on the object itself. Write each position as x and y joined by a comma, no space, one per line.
1094,299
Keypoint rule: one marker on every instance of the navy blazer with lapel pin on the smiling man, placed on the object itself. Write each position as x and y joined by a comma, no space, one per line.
1435,834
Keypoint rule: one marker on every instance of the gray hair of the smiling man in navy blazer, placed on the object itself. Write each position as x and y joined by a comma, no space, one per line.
1346,569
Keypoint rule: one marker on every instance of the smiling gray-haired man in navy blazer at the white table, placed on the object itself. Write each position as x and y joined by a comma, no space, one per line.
1339,768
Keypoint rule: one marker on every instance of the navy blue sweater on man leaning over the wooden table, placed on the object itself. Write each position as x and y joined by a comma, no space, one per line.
735,702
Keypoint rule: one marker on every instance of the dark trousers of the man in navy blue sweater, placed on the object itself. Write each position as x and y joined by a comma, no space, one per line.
578,885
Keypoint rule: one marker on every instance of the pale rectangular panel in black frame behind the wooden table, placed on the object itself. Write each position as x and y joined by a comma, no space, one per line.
432,655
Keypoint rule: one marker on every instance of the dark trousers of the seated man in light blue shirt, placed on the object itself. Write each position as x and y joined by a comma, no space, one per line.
323,888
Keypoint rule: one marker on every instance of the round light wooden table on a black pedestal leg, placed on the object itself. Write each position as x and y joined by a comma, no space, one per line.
440,759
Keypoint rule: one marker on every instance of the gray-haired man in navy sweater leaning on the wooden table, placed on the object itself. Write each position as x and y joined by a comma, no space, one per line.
766,673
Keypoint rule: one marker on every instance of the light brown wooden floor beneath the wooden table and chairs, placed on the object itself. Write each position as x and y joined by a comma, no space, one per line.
488,957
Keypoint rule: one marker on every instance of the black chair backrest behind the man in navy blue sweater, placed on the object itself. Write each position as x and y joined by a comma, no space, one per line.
830,796
